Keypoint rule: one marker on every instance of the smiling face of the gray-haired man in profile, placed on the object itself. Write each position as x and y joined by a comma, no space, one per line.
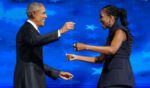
40,16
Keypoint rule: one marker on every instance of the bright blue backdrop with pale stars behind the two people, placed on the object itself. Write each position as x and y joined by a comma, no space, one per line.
85,13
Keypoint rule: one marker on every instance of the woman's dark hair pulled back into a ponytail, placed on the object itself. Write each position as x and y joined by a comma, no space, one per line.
117,13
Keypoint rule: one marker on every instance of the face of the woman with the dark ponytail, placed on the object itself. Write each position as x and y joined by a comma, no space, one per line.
104,19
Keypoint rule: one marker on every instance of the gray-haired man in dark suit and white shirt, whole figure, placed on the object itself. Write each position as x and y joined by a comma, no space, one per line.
30,70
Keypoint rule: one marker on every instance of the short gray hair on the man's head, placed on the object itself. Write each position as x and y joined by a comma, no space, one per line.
32,7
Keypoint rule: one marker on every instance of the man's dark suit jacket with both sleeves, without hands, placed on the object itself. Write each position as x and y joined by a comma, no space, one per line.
30,70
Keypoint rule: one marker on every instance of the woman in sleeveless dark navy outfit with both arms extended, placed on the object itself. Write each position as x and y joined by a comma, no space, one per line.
117,71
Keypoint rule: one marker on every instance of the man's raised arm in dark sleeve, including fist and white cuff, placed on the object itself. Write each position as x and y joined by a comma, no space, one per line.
34,39
